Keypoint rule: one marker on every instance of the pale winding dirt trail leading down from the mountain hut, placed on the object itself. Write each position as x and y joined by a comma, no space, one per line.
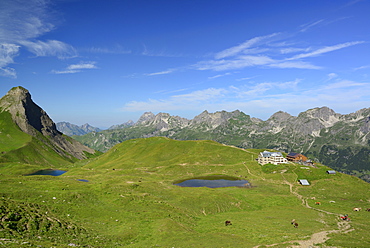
316,238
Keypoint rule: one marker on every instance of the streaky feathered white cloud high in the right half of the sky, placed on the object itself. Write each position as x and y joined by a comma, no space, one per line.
240,56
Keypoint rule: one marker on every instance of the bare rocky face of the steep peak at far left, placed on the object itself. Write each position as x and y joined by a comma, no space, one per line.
33,120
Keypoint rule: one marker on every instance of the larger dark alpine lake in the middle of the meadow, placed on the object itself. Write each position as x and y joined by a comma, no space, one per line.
214,181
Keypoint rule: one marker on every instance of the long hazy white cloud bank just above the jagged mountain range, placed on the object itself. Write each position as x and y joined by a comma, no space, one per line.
262,99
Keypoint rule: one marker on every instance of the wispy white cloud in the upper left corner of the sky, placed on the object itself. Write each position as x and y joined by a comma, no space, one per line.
22,22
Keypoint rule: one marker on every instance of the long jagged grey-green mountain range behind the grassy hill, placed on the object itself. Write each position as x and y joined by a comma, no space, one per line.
339,141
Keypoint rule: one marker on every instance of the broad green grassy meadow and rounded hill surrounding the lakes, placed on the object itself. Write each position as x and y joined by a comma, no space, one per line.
130,200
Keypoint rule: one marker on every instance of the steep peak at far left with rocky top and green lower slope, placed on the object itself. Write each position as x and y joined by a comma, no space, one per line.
31,136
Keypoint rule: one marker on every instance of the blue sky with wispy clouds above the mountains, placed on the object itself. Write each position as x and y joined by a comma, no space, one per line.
106,62
